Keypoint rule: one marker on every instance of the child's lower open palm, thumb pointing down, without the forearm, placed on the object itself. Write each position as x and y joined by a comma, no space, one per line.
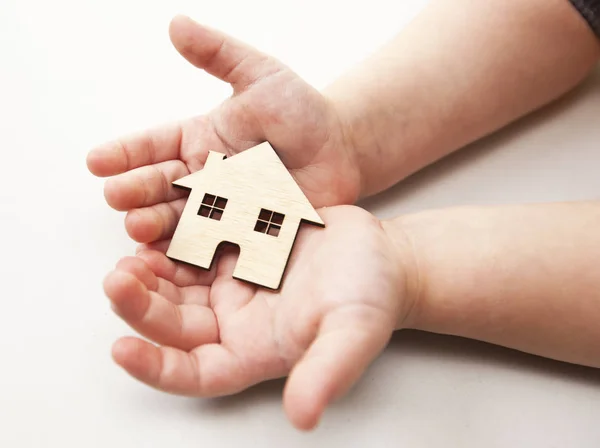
343,295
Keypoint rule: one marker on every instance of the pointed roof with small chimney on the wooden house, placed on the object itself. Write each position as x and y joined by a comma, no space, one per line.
256,171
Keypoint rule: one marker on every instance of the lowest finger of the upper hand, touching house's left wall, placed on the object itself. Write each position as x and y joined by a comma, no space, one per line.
154,223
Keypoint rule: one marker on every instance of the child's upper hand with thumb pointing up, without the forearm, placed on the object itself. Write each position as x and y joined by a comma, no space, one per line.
270,102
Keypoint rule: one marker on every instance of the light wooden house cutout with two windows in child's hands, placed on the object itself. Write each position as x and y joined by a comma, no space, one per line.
249,199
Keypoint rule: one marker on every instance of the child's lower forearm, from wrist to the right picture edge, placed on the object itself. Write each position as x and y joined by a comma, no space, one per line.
525,277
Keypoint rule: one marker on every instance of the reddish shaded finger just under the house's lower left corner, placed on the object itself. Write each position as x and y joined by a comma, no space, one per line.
178,274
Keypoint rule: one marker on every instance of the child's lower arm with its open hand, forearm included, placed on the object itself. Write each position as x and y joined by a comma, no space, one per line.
524,277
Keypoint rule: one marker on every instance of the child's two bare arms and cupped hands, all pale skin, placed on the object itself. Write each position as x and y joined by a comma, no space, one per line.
520,276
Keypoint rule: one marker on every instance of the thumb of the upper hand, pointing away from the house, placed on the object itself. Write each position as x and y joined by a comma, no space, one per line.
221,55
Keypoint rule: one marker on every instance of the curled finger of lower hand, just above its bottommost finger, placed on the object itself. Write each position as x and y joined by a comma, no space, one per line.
153,316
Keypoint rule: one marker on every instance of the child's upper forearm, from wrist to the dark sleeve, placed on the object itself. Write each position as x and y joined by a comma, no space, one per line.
461,70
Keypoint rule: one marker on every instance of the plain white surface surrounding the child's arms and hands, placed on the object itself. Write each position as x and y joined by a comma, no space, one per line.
76,73
